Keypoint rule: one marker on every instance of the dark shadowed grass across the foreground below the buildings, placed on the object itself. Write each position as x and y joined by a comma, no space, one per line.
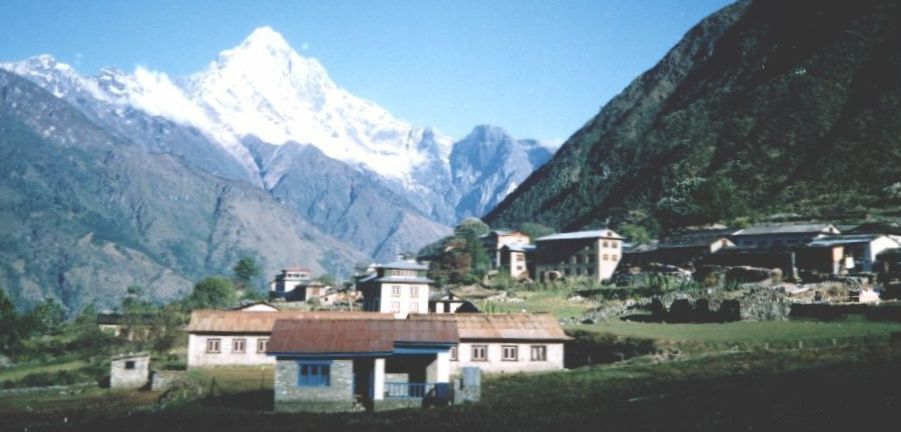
831,388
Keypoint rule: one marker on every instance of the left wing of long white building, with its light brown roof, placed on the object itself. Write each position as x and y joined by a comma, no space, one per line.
241,337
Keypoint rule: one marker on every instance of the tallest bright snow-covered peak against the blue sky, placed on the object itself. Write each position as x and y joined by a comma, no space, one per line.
265,89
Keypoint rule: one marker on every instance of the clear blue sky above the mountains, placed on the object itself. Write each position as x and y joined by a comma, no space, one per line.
539,69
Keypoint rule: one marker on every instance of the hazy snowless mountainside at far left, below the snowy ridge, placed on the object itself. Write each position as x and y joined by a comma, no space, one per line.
87,214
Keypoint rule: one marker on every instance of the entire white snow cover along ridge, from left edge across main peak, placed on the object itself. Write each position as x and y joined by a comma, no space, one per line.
264,88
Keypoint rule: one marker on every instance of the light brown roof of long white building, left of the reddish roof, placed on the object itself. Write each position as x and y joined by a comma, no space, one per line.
237,321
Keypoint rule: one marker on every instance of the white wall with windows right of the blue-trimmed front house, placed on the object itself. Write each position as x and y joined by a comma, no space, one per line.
495,363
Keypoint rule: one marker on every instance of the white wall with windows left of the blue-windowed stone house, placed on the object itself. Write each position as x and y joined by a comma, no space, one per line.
198,357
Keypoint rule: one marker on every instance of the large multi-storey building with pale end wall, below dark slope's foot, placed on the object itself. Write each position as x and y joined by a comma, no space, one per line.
592,254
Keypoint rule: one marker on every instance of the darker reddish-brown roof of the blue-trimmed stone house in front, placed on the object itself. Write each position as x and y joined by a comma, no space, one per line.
356,336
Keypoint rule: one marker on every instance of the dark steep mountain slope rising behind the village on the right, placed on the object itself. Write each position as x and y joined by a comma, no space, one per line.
763,107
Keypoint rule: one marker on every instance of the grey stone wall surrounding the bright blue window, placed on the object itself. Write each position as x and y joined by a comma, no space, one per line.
337,396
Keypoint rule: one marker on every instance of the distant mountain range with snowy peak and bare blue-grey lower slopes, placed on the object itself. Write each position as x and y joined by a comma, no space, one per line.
139,178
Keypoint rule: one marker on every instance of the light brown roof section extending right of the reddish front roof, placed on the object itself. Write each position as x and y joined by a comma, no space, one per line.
540,326
